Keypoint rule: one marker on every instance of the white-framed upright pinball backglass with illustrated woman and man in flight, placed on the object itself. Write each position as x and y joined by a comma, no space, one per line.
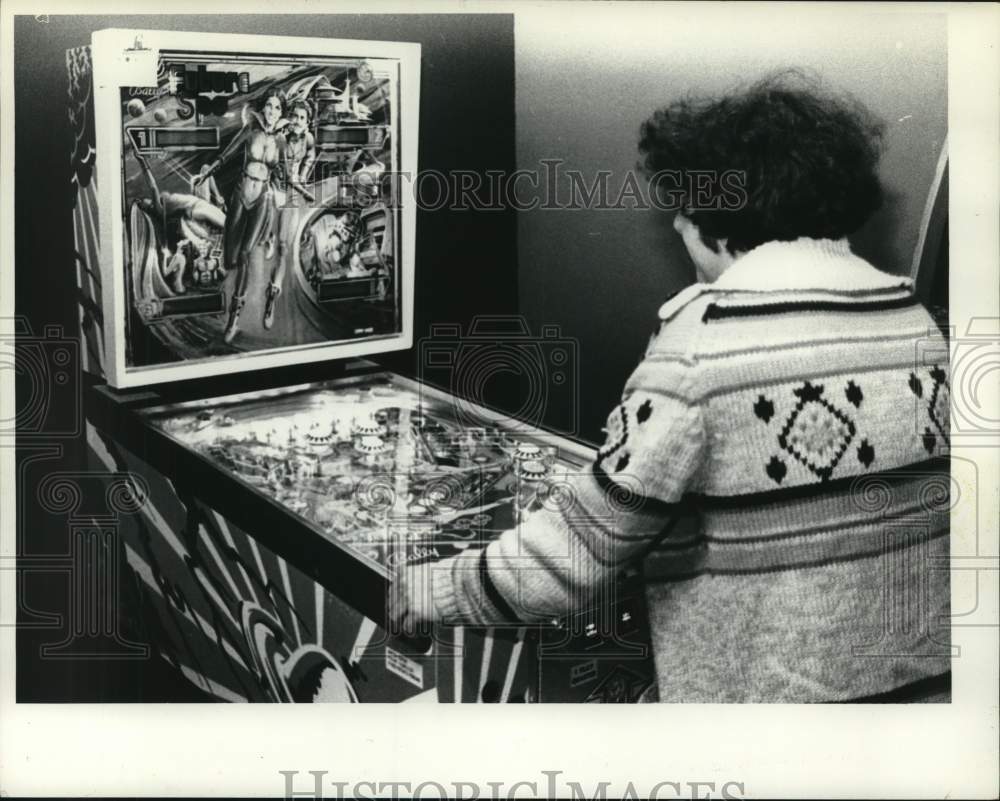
260,222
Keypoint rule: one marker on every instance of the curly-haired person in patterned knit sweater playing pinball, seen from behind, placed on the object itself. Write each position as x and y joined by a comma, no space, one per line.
781,402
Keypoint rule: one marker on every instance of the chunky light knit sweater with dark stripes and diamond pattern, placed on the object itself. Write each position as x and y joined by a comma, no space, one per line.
800,405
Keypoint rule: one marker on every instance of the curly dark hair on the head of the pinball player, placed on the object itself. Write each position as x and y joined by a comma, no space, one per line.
805,161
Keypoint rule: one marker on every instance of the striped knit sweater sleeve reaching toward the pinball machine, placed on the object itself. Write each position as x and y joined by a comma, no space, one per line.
564,555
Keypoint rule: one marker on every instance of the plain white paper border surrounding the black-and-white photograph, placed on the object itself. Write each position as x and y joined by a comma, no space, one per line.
821,751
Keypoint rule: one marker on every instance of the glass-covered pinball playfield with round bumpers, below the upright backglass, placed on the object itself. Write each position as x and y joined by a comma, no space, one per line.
390,467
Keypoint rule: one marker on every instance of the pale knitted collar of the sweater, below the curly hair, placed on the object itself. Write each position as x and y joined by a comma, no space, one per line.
801,265
